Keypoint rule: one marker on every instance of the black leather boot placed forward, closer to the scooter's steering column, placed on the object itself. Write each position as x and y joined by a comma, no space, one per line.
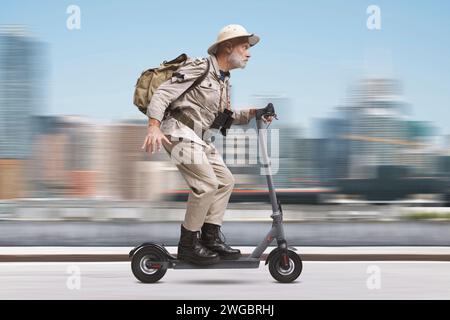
211,239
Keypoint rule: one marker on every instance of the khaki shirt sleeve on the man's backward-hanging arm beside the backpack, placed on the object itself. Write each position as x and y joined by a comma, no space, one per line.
173,88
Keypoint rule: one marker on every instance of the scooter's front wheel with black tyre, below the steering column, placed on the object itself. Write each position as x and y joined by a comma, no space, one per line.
285,272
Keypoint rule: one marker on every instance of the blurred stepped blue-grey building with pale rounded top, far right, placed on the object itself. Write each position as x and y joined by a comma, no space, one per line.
377,150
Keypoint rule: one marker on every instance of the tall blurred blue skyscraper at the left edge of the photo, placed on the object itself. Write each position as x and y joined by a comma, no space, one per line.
22,94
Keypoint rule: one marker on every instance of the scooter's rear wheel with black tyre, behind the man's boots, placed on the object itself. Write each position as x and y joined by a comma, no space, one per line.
148,265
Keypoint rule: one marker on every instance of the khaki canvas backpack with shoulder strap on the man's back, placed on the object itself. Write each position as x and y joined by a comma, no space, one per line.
151,79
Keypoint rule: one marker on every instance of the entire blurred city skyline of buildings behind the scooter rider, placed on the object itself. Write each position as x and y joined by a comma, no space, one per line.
370,138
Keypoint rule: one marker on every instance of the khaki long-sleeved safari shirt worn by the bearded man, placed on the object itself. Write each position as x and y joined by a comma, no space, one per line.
202,103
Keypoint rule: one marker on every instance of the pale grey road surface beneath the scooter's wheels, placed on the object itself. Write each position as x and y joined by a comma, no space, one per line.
319,280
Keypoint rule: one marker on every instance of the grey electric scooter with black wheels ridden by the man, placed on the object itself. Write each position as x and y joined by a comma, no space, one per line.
150,261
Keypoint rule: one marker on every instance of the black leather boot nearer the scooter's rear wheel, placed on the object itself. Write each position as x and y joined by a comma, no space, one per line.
191,249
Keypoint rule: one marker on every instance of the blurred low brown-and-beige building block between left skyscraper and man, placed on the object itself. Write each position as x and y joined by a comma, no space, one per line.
76,158
